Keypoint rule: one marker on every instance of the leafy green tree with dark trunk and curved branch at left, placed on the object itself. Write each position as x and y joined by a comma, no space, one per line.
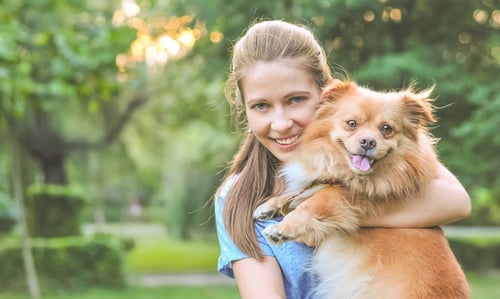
61,59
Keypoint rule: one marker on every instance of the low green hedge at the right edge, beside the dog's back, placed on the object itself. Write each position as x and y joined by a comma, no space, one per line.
477,254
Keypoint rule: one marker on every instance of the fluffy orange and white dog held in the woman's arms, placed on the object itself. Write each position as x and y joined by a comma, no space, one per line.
365,153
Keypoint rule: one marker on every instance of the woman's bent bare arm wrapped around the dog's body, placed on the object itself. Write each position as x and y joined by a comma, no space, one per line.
443,202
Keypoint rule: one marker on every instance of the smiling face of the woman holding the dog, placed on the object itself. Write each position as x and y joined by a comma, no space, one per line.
281,98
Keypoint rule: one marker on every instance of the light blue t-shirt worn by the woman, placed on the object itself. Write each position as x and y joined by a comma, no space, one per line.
293,257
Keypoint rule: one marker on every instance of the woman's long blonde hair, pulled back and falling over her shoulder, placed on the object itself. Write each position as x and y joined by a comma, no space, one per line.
255,166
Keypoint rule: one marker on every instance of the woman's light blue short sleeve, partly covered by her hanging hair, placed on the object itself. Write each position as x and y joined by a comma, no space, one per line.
229,252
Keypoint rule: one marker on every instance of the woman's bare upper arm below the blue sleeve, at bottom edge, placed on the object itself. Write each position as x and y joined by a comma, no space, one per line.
257,279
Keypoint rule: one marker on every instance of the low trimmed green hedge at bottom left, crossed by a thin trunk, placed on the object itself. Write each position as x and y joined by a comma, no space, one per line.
65,263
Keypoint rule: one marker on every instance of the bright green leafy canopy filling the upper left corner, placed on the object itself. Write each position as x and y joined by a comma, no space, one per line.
61,56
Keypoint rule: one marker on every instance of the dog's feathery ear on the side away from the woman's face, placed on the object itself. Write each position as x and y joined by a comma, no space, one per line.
419,106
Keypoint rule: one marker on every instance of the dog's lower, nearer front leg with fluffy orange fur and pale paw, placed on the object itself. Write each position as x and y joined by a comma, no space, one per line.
325,212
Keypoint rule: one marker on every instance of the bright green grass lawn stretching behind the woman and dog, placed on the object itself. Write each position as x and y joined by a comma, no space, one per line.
155,253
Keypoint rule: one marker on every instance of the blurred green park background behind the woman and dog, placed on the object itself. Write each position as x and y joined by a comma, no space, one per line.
114,130
